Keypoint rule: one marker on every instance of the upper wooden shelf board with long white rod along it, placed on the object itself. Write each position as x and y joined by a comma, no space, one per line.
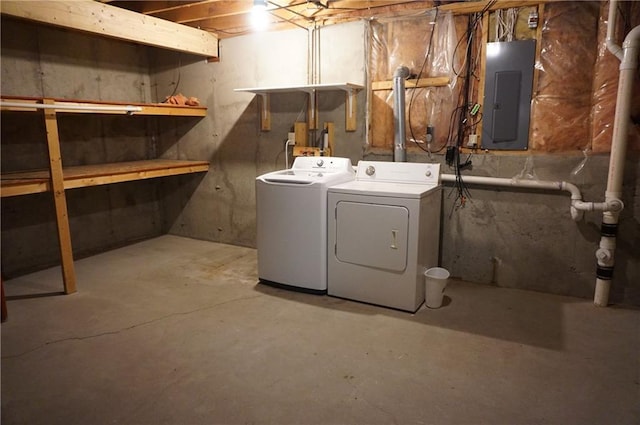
164,109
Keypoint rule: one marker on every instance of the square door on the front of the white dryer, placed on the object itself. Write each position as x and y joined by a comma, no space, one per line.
372,235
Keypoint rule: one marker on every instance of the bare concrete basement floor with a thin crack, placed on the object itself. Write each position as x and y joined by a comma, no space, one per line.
176,331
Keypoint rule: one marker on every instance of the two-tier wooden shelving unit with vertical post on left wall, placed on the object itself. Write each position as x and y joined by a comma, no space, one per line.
56,179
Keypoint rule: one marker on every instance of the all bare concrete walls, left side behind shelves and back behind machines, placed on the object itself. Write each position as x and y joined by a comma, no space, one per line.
511,238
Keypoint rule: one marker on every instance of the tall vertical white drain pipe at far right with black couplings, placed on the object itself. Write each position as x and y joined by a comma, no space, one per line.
605,254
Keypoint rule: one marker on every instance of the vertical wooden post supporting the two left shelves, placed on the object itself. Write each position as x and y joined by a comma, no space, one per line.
59,198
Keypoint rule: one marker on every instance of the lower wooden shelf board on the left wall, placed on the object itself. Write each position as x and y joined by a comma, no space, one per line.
36,181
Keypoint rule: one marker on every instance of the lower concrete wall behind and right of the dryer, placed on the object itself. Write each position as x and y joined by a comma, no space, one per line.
526,239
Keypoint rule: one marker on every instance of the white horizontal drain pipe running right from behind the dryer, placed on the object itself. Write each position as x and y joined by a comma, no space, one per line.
578,206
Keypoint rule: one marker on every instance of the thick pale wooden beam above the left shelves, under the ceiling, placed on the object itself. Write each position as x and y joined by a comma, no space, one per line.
110,21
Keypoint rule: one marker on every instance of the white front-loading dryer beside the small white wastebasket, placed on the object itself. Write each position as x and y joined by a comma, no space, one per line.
383,231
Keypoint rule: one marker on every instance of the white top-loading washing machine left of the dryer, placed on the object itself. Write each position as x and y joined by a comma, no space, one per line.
291,216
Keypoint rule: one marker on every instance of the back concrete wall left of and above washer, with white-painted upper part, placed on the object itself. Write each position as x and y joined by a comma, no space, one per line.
222,207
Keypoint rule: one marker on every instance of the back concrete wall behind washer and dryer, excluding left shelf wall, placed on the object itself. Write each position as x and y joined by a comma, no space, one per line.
510,238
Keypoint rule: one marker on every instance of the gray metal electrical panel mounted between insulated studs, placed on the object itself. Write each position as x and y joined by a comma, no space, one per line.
507,98
